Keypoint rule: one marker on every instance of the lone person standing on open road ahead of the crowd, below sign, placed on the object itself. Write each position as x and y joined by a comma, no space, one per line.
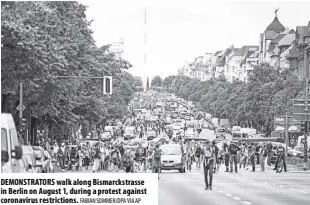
208,163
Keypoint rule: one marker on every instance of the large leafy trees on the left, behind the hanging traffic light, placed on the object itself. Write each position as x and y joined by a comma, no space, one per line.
42,40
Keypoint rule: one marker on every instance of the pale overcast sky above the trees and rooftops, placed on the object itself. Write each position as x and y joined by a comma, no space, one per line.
178,31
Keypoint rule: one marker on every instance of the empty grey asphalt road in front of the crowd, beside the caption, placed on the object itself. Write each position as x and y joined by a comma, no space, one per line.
244,187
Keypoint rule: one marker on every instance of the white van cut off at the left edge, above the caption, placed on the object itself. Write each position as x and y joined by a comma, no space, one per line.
11,151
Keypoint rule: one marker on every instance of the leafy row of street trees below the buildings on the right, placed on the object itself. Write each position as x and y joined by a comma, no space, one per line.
269,92
